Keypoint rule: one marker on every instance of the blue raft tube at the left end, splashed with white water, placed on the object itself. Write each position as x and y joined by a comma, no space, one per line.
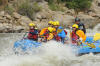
25,45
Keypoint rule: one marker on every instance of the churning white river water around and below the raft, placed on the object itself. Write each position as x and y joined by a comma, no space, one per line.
50,54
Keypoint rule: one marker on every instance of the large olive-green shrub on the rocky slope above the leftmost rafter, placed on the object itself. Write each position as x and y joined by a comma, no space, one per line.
28,9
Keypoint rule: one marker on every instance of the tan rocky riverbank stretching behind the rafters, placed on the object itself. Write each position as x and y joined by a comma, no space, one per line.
18,23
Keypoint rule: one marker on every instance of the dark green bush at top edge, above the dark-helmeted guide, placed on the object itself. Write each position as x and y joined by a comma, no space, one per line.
78,4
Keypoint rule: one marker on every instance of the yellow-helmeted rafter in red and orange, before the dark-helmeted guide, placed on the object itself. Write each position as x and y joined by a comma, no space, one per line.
77,35
